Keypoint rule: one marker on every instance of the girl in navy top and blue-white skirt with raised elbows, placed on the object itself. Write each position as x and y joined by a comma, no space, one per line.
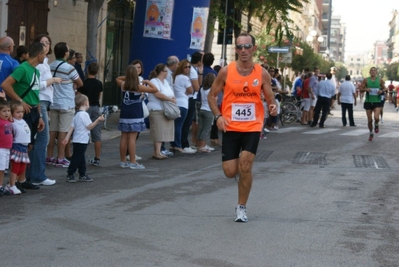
131,120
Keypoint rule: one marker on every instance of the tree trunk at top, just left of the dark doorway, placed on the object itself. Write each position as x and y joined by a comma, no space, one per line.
93,10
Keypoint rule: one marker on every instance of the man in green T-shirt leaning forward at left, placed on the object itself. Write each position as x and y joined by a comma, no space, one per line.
23,85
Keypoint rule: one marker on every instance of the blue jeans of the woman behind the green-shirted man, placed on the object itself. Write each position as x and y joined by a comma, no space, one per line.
35,171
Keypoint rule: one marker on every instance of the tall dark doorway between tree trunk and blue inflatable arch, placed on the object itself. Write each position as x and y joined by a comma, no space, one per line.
119,33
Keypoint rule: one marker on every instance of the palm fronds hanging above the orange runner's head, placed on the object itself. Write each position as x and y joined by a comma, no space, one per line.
274,12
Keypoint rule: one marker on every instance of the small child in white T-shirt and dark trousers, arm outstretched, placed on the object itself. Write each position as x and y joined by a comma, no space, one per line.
81,126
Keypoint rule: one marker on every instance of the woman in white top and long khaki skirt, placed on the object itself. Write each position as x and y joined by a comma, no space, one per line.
162,129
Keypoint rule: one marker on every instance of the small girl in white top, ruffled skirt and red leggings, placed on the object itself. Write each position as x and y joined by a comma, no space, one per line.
19,151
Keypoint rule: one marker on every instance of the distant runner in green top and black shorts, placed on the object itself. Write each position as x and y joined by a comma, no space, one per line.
374,86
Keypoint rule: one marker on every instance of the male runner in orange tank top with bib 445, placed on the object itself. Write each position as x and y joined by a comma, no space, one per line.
241,117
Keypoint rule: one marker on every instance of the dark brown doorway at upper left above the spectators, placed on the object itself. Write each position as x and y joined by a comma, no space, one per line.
26,19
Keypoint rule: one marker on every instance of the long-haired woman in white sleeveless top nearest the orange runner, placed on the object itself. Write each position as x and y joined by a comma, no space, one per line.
205,117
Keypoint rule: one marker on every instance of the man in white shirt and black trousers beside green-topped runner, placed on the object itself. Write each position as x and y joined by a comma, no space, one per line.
346,98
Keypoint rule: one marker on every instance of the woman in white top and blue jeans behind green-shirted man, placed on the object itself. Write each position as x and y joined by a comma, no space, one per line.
36,170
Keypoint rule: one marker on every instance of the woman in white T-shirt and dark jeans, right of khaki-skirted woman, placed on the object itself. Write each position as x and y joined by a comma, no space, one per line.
182,88
